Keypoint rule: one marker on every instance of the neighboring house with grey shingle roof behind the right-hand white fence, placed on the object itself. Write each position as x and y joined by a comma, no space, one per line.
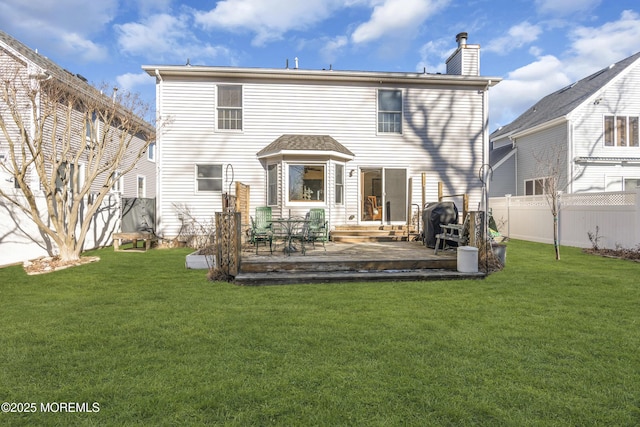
589,128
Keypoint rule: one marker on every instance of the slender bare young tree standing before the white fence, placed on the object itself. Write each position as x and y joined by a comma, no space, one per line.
551,166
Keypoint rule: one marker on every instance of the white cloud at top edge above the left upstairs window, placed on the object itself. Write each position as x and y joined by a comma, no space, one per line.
268,19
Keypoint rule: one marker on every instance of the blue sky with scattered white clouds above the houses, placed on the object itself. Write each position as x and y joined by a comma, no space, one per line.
536,46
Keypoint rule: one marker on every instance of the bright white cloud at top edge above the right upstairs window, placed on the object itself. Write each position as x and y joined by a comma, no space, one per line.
396,17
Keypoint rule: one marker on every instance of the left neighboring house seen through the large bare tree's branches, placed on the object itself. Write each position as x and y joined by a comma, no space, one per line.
20,238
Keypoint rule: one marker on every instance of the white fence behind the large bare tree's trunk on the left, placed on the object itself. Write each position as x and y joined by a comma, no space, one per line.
21,240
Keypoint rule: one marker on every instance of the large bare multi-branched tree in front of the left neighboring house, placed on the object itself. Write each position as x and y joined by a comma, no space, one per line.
50,128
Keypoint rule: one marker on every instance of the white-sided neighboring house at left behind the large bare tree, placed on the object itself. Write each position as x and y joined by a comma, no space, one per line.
71,147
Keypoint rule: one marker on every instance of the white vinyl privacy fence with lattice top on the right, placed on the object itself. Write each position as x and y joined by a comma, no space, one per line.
614,215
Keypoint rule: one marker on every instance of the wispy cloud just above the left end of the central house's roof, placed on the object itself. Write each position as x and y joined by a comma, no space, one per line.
165,37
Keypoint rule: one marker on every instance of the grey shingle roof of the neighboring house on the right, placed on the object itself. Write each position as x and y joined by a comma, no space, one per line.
565,100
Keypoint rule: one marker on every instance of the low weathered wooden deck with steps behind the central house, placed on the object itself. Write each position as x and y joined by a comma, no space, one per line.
348,262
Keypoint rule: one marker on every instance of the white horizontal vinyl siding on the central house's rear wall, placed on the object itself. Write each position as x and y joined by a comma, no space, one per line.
441,135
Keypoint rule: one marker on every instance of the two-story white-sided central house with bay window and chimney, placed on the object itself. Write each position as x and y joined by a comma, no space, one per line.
339,140
